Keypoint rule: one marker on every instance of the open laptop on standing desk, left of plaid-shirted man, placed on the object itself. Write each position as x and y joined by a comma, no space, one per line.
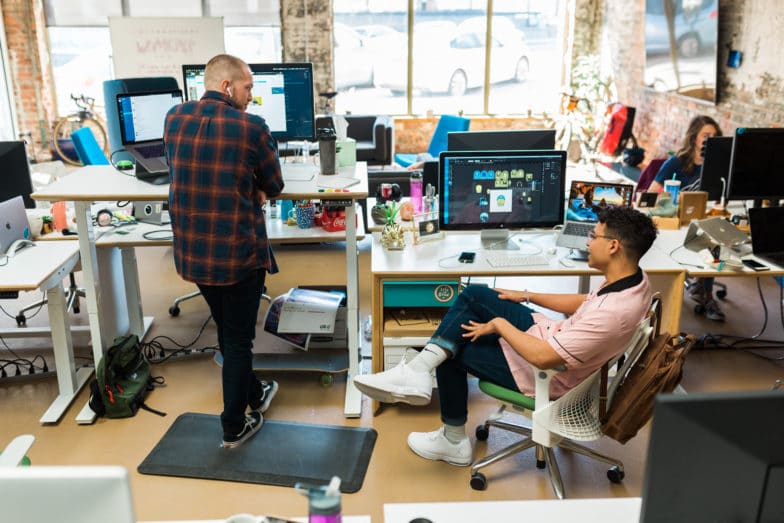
142,117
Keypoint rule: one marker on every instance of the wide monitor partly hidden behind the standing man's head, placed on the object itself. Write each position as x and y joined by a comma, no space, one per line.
282,95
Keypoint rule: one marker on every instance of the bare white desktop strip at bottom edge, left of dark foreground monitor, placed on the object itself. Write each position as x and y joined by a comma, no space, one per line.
617,510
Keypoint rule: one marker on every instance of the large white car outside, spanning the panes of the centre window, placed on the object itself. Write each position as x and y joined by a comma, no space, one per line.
450,58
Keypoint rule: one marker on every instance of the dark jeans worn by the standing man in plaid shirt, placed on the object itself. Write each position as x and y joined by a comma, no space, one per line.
234,309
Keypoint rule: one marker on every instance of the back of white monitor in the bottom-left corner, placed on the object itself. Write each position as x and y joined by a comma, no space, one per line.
66,494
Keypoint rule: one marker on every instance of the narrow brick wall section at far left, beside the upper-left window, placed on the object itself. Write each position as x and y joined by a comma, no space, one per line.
31,77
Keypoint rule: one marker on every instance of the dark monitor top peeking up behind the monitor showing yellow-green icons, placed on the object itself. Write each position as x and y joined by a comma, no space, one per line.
507,140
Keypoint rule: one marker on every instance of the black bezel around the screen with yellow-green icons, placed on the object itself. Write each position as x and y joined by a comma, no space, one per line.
483,154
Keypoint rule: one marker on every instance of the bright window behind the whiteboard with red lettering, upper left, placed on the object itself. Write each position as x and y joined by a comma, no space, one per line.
81,48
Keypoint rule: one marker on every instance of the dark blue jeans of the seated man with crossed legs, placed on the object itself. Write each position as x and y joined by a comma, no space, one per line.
483,358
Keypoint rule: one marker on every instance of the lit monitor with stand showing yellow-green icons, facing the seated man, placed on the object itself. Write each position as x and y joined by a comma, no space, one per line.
496,191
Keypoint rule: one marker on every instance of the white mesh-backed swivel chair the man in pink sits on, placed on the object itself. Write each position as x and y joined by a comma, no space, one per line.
562,422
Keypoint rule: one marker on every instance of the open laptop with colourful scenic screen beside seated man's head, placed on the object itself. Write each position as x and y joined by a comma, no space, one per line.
585,201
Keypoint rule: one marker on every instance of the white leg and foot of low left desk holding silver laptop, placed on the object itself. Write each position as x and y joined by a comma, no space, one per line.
69,380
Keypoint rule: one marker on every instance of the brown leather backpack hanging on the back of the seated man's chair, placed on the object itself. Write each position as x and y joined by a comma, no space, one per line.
657,368
